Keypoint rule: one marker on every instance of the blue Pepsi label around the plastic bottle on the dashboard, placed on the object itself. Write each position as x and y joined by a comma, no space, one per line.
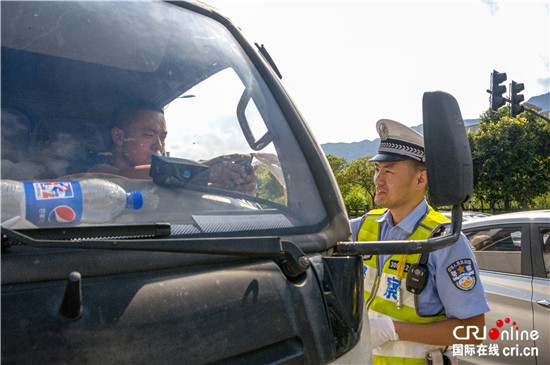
53,202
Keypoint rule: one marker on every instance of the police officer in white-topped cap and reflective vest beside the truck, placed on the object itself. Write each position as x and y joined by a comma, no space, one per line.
408,328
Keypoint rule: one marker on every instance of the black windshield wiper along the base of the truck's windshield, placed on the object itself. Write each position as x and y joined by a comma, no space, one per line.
290,257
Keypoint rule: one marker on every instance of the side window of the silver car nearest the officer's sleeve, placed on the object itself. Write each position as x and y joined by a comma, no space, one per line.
497,249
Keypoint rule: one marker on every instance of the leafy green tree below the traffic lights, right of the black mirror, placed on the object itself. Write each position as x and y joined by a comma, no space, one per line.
511,158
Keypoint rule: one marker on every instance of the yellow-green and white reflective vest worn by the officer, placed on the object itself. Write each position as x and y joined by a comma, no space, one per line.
381,288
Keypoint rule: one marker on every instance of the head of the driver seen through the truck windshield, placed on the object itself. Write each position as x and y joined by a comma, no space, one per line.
144,137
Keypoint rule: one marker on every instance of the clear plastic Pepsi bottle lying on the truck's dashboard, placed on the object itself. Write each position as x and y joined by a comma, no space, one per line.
86,201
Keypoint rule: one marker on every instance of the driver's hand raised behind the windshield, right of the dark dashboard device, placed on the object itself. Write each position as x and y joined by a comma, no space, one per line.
228,175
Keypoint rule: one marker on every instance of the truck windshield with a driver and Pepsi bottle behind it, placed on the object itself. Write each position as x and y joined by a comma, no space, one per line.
103,98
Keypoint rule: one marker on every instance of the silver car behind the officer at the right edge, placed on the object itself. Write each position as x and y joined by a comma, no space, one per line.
513,254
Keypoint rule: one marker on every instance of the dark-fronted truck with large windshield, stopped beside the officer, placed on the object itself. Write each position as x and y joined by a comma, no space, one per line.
200,272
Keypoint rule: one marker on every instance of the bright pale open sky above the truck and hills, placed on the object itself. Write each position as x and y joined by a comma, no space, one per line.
347,64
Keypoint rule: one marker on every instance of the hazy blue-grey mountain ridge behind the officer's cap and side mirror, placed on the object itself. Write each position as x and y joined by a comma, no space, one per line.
354,150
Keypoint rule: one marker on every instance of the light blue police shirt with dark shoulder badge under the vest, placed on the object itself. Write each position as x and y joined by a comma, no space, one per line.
447,286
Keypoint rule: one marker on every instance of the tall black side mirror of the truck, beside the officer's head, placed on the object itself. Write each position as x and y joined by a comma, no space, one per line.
448,156
